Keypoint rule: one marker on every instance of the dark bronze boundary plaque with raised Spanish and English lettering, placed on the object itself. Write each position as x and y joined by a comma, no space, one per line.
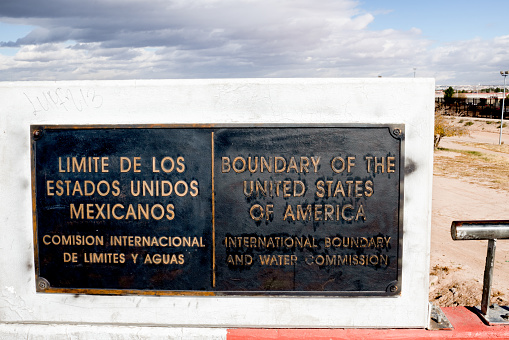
214,210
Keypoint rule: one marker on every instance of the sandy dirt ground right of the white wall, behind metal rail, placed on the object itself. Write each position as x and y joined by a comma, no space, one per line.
471,181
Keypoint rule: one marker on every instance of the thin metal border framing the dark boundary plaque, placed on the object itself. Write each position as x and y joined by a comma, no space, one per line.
397,131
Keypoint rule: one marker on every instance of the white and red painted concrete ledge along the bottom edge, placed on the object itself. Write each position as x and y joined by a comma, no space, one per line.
467,325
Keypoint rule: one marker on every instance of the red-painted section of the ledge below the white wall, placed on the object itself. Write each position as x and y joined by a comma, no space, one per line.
467,325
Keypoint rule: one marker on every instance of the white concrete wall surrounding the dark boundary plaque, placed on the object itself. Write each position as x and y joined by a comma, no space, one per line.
388,101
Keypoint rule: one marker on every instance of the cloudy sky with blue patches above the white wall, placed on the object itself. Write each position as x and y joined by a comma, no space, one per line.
455,42
